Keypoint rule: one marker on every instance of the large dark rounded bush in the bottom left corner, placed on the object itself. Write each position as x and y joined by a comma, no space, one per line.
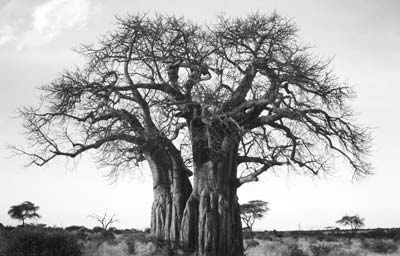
40,242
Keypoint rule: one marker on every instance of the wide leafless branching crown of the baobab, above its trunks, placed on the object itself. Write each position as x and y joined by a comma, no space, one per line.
150,77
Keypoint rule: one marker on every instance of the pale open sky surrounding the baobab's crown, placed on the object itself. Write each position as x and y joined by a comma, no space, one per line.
363,36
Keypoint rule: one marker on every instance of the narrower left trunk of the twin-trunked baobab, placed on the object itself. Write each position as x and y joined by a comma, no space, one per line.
171,188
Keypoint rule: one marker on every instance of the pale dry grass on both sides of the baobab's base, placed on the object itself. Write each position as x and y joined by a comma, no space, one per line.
287,246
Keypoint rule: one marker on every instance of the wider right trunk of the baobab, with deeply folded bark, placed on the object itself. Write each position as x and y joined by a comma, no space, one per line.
211,224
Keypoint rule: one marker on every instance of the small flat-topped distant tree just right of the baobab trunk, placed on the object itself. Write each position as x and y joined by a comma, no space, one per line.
251,211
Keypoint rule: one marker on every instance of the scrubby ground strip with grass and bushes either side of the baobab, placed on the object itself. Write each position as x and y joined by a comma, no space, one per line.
129,242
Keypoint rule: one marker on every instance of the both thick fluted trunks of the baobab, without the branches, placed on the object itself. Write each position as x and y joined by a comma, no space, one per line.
205,220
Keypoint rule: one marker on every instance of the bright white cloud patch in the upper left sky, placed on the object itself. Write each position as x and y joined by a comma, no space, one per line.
53,17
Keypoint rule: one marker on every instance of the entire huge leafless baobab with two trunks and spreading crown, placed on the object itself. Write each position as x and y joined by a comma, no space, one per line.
225,103
